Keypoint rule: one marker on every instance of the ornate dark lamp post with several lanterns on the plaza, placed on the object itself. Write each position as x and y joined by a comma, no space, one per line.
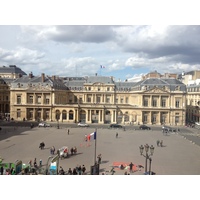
147,155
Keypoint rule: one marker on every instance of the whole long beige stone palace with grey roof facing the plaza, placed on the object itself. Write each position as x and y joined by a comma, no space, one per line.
98,99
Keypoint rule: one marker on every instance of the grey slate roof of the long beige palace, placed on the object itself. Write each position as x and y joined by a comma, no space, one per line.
77,83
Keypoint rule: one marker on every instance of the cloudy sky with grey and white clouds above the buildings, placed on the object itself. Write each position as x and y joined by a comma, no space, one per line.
126,51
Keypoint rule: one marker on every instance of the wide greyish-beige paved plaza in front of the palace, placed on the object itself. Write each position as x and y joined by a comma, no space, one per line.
178,156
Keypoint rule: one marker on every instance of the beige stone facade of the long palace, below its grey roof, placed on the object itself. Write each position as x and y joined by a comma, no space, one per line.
100,106
